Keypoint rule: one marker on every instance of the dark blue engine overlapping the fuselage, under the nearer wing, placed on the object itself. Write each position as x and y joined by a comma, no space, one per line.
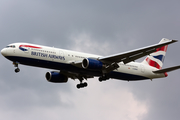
92,64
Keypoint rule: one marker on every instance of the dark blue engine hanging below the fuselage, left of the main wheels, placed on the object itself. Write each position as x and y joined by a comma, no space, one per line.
56,77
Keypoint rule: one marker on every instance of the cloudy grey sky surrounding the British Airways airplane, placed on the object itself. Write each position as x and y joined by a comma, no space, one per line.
99,27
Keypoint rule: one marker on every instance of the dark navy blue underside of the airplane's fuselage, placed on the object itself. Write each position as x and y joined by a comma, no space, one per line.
71,68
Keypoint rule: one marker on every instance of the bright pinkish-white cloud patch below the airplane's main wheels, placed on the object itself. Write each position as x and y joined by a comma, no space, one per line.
106,103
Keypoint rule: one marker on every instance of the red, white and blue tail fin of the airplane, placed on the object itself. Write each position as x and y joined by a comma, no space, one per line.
156,59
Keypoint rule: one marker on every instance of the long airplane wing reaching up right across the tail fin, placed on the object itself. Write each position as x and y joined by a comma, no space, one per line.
129,56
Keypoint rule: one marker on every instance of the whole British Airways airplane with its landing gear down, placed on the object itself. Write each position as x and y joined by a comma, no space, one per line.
77,65
